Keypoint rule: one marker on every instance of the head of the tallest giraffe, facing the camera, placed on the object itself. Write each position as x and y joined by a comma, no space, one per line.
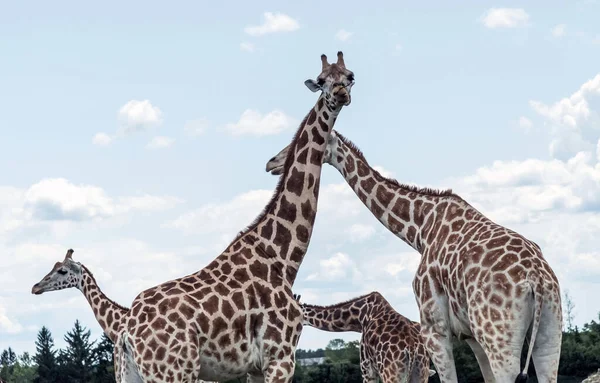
335,81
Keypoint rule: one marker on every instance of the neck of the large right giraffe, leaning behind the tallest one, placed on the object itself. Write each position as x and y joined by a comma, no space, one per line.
408,212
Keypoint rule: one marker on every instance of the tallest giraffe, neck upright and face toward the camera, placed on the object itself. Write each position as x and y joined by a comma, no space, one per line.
238,315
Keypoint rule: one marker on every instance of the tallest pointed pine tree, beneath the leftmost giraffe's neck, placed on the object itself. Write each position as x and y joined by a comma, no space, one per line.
77,361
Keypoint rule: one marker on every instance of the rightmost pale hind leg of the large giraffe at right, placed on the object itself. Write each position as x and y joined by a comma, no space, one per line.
546,350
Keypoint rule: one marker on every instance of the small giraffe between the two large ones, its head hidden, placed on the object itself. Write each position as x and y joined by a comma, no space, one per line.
390,344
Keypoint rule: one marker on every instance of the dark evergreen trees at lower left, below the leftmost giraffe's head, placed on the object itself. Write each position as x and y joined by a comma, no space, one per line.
81,361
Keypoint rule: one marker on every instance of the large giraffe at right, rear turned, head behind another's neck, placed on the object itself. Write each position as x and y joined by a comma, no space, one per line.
477,280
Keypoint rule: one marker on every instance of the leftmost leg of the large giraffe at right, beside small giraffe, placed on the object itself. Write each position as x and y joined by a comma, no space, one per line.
437,336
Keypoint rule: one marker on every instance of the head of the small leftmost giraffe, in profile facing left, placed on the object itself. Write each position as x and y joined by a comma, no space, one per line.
63,275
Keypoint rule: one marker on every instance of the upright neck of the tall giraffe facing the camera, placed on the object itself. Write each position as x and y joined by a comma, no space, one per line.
281,234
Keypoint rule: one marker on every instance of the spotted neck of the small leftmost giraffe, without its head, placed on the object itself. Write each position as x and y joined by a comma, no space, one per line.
107,312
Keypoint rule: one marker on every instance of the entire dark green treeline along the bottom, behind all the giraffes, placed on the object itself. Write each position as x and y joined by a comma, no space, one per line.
92,361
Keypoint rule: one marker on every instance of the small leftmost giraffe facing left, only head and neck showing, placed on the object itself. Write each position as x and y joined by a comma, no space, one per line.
68,274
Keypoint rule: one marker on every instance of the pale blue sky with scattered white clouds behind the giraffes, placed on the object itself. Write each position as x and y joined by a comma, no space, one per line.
137,134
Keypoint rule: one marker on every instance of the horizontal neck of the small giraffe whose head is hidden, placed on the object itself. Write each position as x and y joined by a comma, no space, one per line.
352,315
